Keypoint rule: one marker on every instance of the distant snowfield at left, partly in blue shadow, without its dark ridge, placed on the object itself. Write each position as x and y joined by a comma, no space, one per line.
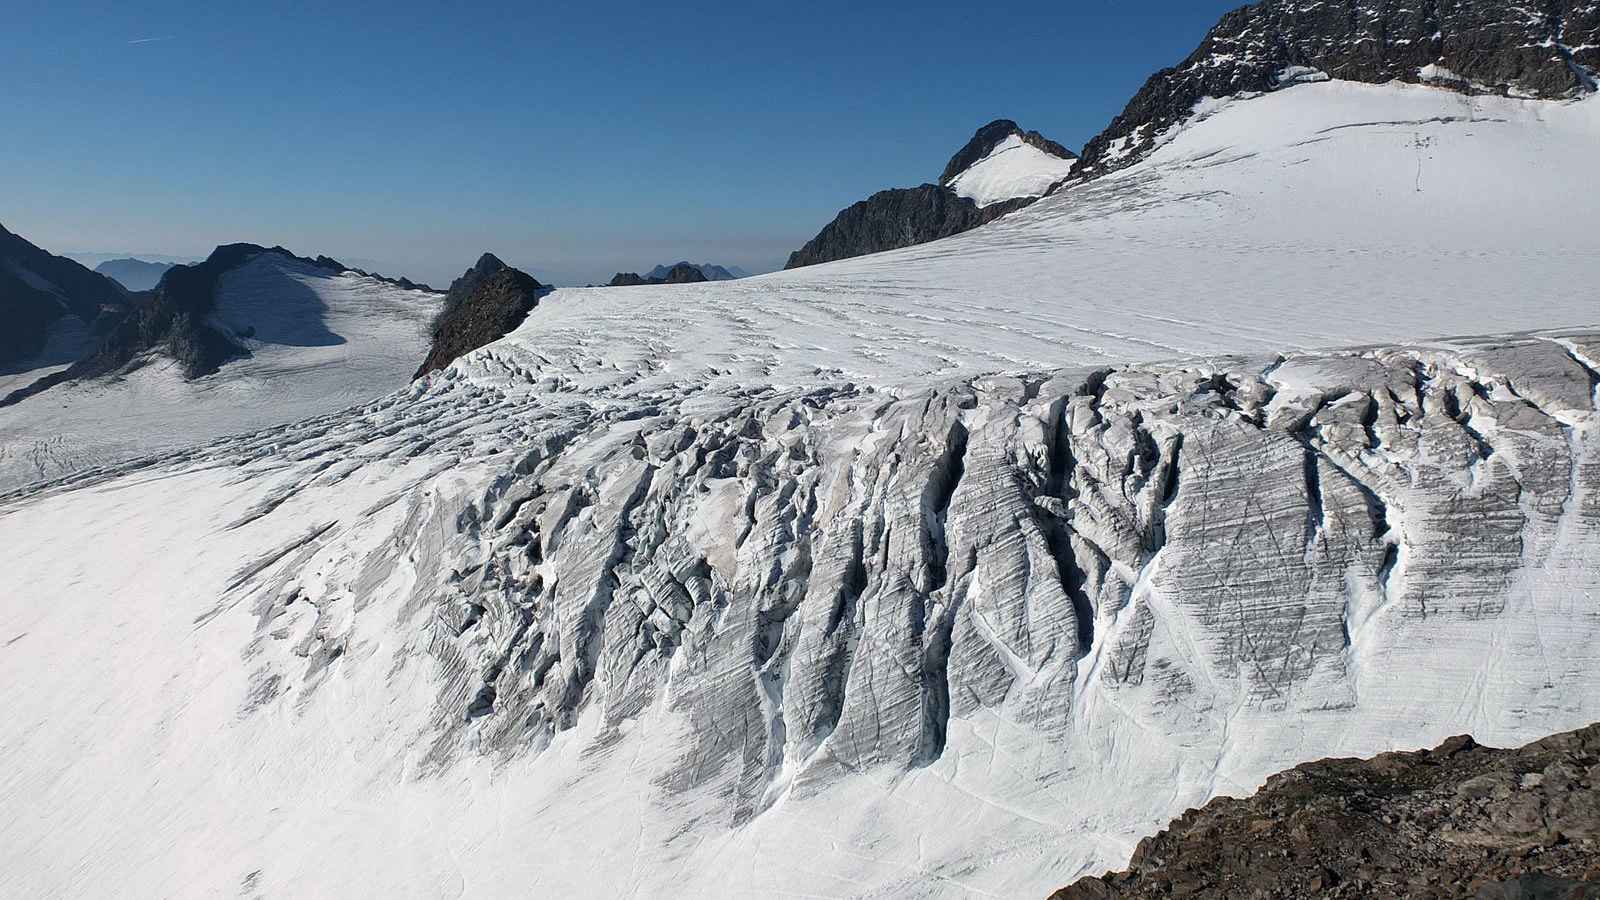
319,342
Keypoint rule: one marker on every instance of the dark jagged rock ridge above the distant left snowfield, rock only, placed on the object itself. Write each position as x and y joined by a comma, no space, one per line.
172,319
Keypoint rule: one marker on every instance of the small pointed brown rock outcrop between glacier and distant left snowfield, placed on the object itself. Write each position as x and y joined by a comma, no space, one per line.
484,305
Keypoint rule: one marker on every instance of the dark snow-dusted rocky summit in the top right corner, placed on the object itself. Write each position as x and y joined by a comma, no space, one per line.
1545,50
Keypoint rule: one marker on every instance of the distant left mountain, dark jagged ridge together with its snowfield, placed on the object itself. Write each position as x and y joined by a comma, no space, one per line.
249,339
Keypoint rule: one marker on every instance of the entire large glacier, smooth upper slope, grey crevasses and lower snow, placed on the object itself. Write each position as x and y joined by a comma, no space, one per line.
761,587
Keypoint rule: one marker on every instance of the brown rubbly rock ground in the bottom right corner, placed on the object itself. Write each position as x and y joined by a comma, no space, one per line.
1462,821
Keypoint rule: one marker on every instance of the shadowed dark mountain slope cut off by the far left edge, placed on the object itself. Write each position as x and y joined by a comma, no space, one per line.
28,310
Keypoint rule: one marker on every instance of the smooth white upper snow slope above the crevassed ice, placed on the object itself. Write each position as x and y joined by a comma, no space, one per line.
1322,215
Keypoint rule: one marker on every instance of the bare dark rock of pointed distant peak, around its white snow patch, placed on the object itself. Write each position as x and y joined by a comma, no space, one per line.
906,217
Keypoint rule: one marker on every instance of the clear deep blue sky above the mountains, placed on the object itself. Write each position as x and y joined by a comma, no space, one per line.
572,139
